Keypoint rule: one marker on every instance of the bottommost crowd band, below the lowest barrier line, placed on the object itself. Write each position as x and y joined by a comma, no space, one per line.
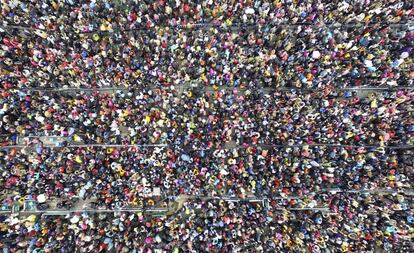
354,223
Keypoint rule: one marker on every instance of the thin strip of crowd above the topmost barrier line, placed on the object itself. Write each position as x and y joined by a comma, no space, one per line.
92,15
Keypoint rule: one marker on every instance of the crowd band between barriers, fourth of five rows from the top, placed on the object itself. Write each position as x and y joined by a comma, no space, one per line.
117,176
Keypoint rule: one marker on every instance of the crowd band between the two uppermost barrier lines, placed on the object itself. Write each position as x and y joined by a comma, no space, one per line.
303,56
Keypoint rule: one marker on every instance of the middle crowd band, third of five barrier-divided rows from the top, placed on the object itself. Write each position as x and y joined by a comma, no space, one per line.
208,119
